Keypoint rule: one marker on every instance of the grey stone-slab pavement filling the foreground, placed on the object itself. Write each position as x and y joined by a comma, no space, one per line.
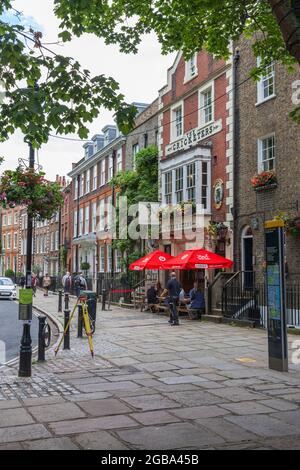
152,386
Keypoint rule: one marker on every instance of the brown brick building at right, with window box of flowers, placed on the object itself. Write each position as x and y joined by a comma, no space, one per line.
266,139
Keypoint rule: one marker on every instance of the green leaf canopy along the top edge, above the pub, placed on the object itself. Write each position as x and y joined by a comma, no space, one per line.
187,26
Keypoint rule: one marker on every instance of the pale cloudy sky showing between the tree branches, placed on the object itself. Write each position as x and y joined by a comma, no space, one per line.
140,77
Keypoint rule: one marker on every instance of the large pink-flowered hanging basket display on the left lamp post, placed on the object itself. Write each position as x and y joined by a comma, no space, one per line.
25,187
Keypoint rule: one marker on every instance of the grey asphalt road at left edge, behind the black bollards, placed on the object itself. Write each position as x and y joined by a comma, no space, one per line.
11,330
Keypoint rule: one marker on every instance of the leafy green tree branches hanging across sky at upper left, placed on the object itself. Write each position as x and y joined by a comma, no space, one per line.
66,99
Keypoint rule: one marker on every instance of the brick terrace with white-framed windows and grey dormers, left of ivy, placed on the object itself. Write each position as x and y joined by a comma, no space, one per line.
91,192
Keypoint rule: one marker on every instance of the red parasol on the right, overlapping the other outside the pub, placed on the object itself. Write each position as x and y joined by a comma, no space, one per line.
198,258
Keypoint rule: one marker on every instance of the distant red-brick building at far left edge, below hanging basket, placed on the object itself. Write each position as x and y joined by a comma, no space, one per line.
10,219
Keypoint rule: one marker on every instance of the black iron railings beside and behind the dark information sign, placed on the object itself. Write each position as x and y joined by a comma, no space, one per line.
243,300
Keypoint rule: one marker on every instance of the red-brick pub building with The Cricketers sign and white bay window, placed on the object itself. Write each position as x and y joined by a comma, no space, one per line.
195,143
